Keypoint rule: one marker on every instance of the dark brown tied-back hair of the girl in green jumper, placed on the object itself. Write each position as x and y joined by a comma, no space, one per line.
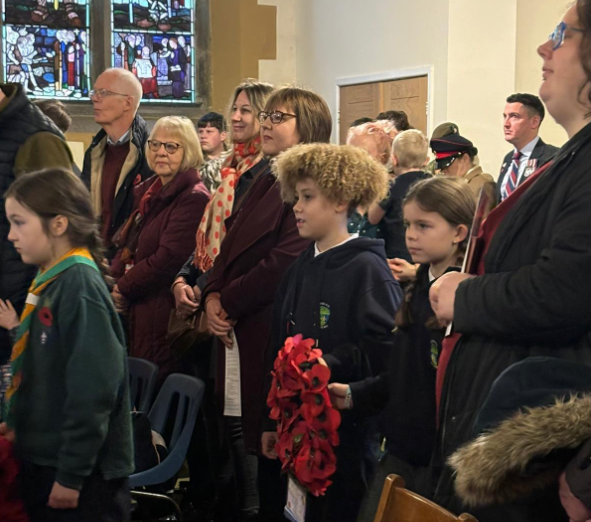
52,192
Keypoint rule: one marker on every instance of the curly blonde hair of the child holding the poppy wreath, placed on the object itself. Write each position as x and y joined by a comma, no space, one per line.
344,174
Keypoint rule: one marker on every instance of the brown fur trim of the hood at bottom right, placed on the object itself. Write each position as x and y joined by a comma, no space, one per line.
523,453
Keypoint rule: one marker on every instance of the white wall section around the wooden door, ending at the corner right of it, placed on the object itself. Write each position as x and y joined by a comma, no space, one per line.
347,38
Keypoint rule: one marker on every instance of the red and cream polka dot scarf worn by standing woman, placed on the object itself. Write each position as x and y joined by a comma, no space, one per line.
212,229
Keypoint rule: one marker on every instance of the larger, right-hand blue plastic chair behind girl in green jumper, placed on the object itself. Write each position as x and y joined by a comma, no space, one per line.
186,393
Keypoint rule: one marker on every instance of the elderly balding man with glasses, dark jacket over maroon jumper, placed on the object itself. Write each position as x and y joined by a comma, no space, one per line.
115,159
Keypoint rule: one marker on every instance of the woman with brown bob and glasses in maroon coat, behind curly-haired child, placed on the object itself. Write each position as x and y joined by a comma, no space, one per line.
261,243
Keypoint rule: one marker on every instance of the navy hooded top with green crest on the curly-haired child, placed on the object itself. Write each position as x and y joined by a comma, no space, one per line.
345,299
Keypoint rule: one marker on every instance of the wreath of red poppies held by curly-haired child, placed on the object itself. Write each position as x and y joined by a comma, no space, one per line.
307,423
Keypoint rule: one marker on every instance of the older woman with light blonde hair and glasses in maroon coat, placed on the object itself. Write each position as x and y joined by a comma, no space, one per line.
158,238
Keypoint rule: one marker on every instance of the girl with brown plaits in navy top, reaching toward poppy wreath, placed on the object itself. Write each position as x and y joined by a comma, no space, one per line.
437,215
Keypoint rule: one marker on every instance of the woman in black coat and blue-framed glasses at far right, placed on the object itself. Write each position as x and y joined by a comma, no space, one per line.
531,293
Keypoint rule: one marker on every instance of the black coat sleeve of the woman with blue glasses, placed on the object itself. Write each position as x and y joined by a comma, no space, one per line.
548,299
